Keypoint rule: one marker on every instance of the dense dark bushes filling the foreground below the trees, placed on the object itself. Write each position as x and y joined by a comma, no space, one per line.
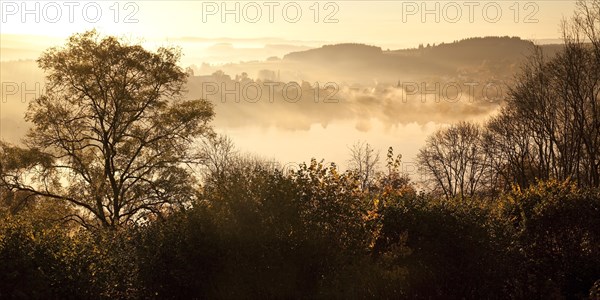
259,233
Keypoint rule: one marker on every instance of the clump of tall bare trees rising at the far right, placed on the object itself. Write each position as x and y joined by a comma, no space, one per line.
550,127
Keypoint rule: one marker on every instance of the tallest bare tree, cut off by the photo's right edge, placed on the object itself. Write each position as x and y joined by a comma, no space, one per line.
577,73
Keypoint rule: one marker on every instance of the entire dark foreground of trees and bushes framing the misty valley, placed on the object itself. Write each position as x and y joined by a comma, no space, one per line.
122,190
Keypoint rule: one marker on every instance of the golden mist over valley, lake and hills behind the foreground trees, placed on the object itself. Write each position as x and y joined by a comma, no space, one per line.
285,90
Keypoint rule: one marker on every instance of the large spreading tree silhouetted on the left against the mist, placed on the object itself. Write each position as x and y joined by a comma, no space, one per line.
111,134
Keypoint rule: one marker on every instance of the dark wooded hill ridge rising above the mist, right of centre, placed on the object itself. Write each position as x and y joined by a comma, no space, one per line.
500,55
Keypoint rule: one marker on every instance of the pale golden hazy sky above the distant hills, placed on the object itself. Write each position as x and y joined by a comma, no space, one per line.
391,24
